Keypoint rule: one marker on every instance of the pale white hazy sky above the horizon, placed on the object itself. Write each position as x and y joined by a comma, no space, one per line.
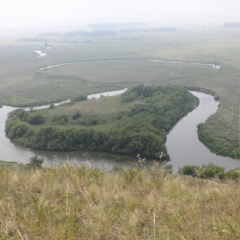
21,13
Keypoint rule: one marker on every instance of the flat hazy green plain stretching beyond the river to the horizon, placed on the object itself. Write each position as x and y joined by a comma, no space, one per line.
122,61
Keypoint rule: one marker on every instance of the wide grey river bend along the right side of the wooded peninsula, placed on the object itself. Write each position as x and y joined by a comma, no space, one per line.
183,145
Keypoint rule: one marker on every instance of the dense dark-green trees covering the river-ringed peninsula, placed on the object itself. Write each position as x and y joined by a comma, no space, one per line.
141,129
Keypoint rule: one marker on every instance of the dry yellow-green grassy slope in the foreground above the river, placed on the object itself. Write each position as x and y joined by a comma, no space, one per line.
72,202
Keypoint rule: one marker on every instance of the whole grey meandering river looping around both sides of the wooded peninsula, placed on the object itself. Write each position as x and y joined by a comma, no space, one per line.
182,143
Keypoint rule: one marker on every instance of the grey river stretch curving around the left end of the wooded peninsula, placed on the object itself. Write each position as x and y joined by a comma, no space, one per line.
11,152
